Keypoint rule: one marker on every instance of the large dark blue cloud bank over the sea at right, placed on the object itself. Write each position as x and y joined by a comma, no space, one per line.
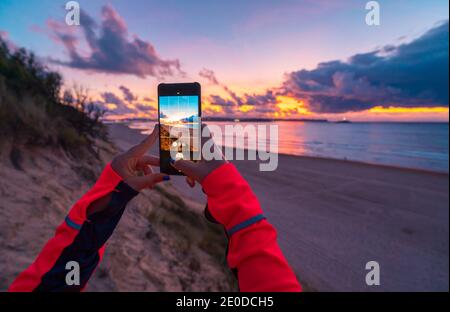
408,75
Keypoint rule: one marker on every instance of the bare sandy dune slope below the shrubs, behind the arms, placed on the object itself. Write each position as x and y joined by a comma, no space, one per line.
162,242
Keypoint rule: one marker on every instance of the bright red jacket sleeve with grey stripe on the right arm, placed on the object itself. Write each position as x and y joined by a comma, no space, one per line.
253,250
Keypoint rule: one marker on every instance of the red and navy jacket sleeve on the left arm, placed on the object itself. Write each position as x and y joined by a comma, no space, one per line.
78,238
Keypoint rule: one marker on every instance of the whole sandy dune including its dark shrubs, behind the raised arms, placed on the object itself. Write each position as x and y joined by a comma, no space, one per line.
36,111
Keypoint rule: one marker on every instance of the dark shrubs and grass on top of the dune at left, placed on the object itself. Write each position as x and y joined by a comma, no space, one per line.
34,109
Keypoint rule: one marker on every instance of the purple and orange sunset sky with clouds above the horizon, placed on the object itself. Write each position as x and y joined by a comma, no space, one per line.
286,59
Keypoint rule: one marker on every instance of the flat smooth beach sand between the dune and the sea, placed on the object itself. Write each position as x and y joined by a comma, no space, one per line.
334,216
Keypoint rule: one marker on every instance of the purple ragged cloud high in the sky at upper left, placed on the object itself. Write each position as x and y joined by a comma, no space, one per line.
111,49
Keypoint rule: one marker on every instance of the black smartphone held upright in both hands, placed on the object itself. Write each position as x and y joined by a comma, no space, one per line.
179,111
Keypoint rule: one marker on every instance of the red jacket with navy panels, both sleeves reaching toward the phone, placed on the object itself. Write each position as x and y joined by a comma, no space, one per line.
253,250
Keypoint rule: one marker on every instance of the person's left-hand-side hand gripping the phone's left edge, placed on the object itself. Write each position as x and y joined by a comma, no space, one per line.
135,167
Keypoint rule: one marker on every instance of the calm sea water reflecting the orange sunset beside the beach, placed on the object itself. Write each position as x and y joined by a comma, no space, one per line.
412,145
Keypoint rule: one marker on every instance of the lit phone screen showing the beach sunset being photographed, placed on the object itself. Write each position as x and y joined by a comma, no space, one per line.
179,123
